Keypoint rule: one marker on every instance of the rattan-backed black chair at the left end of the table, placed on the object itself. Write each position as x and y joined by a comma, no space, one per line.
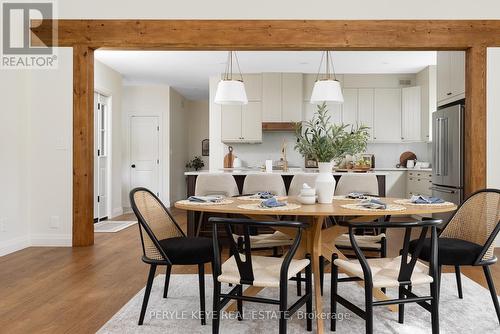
165,244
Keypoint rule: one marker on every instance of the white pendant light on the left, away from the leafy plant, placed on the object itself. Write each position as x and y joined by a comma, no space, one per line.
229,89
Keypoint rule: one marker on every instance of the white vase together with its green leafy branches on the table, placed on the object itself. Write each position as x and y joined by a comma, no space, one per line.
326,142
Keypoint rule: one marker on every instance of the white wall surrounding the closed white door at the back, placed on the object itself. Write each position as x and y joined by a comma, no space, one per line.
153,100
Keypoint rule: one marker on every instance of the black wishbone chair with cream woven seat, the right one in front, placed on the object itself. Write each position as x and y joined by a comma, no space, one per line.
402,272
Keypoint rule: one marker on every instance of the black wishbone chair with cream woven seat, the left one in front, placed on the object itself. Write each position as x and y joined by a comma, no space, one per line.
244,268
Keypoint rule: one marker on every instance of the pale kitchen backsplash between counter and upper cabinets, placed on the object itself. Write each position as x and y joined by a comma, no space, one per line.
386,155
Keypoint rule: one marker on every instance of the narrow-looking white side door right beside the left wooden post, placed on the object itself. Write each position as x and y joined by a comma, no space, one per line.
101,156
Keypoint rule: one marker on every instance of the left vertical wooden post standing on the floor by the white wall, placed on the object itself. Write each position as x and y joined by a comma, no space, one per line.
83,145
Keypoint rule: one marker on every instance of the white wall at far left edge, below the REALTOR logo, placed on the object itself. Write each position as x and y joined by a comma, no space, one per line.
14,137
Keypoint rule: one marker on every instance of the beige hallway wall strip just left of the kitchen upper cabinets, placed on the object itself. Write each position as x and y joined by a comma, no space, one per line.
198,128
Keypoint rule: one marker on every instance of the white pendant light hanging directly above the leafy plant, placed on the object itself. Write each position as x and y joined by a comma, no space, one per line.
327,89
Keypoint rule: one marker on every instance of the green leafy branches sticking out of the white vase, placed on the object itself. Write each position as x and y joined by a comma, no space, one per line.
324,141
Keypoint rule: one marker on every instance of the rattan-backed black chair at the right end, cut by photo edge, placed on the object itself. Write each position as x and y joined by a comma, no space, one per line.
467,239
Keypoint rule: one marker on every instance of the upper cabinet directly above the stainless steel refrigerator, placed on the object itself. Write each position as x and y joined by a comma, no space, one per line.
450,76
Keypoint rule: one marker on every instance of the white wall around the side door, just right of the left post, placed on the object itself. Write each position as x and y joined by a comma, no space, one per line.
109,82
